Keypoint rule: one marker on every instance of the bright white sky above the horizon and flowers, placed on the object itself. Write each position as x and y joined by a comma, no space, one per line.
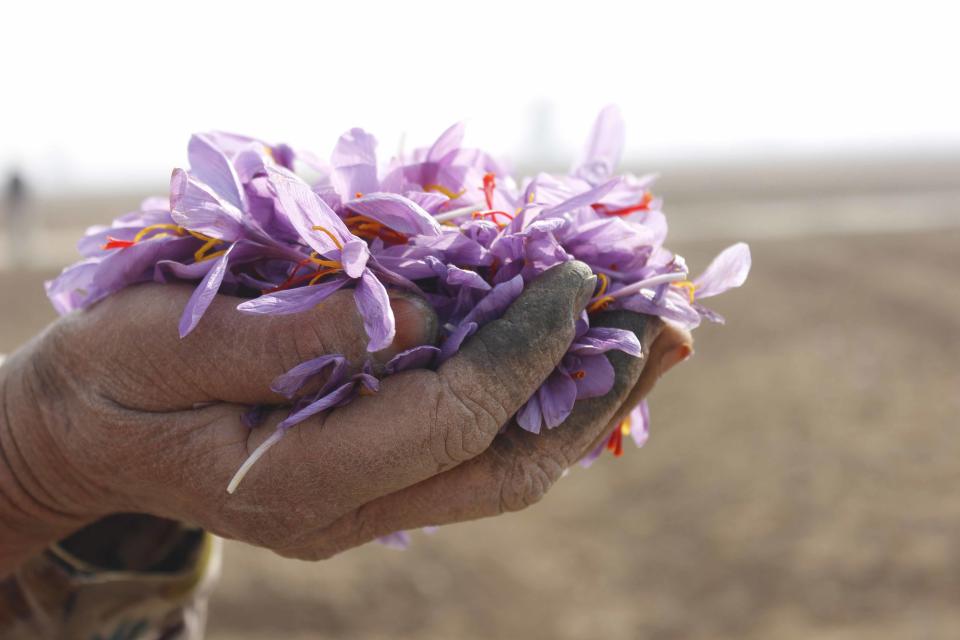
98,94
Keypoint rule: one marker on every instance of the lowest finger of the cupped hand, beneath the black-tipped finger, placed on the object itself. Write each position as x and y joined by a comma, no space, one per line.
513,473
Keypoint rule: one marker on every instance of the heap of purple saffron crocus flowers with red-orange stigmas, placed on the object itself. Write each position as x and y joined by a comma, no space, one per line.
446,222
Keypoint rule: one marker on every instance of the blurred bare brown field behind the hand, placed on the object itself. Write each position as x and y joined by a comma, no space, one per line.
801,480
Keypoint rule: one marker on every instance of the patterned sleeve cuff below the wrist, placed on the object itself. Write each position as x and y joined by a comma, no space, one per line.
149,582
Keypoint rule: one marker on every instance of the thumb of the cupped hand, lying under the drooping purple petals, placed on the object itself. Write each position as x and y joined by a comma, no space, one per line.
230,356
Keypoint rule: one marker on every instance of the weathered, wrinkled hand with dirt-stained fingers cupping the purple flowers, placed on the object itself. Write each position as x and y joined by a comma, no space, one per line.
108,411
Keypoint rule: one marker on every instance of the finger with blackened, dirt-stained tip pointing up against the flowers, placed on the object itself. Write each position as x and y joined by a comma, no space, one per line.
421,422
